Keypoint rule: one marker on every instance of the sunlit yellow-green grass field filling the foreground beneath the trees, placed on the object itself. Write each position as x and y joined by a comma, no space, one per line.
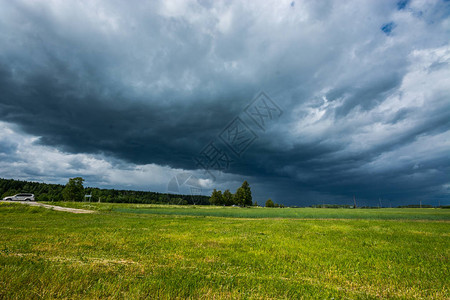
149,251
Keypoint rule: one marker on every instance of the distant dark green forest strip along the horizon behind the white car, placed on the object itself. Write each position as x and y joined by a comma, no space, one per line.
53,192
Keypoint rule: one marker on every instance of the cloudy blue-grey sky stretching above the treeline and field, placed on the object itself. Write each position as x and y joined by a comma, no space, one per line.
311,102
